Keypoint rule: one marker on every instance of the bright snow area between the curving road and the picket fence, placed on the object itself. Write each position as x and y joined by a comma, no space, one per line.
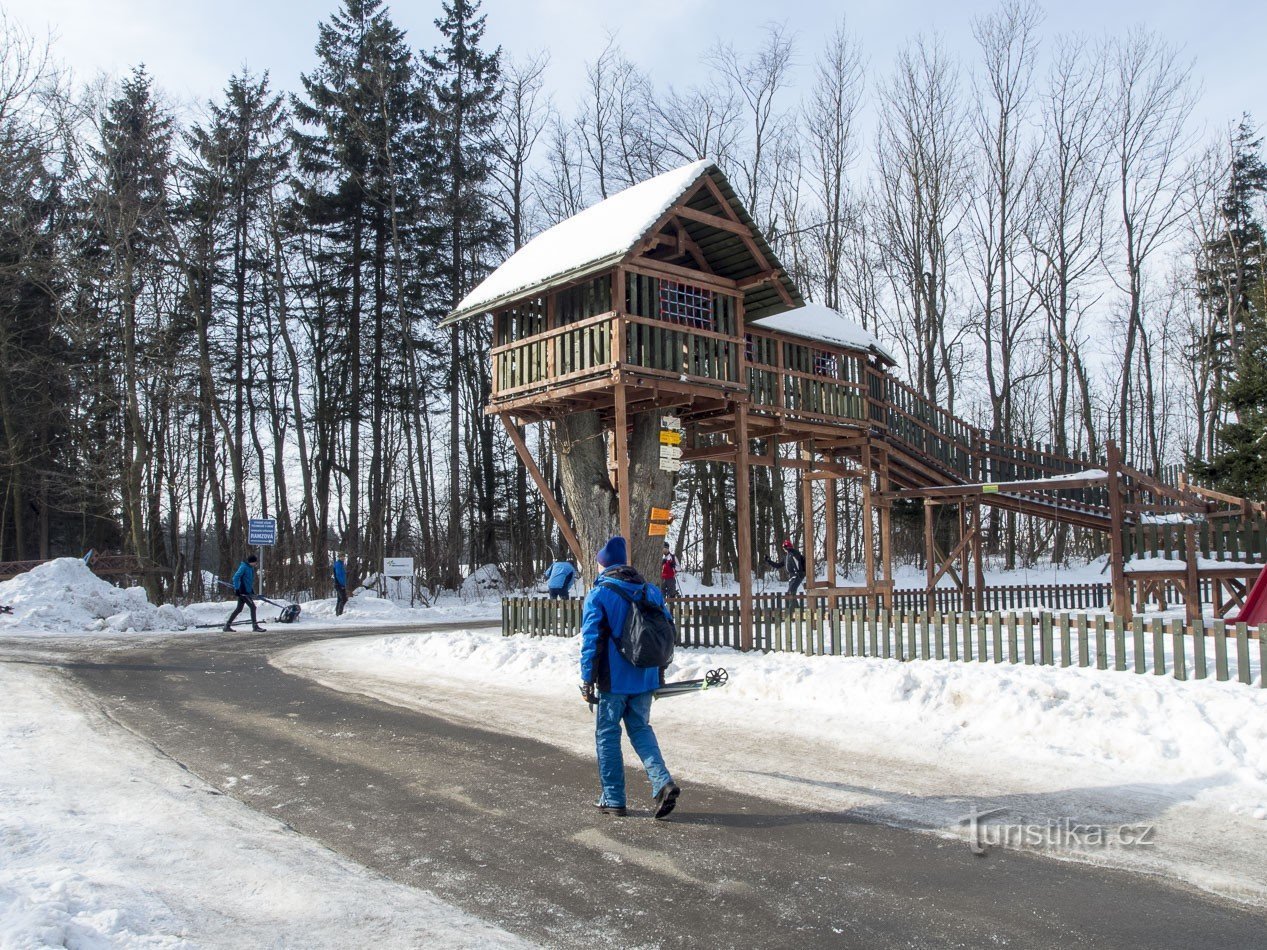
917,744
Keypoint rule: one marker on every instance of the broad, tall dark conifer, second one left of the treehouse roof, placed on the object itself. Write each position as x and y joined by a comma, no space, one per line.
360,154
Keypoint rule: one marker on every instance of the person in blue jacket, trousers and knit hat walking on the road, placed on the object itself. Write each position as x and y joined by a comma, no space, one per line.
624,691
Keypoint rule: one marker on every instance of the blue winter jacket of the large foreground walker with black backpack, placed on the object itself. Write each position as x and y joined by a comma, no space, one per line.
604,617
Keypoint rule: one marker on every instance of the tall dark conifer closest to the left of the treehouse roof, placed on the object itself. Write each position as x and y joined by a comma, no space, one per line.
464,83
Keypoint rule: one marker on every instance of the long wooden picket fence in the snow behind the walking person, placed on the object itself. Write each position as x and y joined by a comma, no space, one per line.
1217,650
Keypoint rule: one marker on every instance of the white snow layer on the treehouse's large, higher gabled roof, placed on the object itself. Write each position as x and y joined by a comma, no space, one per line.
590,241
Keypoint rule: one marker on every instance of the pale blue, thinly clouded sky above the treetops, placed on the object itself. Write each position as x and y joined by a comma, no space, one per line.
193,47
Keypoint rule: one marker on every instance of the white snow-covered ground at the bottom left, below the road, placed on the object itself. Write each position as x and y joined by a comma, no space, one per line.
105,843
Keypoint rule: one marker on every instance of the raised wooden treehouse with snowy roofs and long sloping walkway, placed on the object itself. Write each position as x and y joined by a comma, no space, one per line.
666,298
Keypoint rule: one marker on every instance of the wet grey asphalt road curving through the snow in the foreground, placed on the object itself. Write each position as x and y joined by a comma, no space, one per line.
504,828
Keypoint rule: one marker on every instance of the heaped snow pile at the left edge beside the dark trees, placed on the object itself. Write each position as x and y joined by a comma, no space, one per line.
65,597
